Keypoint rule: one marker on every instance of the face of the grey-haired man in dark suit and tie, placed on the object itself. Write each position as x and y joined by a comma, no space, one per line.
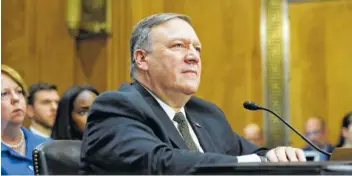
174,62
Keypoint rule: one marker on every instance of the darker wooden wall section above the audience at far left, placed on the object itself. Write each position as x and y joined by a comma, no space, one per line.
36,42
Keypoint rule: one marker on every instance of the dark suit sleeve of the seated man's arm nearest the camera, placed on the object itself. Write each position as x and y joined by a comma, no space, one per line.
115,144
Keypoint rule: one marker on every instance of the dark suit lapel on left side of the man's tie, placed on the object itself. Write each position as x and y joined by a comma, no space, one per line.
169,127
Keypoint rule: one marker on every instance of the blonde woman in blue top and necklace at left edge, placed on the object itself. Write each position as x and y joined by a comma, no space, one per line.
17,143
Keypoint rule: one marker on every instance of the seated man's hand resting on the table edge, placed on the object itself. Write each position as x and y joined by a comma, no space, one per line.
286,154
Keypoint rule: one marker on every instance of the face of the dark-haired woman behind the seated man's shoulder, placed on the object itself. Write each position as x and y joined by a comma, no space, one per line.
81,106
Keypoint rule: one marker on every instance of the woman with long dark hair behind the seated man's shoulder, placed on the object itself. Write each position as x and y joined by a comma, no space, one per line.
72,112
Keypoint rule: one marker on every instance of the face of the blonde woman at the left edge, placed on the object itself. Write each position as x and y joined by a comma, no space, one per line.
13,103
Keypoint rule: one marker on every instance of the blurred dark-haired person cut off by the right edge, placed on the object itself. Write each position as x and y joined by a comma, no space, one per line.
346,132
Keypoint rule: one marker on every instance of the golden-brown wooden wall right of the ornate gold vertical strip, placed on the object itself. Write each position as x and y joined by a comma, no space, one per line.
321,58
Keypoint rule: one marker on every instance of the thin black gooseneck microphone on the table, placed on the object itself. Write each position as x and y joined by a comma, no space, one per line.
253,107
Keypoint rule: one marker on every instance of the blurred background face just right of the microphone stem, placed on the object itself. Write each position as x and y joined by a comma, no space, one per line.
315,131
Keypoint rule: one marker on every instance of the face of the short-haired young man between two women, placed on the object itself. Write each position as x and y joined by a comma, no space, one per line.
45,106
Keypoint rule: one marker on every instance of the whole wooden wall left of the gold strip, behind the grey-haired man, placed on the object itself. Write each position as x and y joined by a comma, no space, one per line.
41,48
